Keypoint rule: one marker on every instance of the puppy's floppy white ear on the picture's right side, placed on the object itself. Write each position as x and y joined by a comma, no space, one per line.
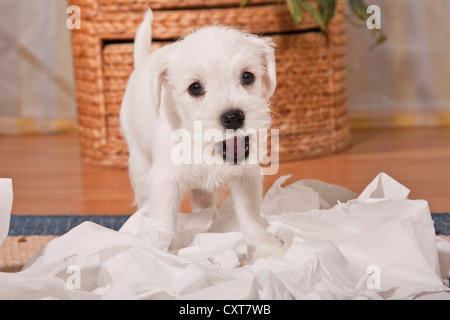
267,56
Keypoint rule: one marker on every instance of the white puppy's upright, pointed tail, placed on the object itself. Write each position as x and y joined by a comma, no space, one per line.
143,40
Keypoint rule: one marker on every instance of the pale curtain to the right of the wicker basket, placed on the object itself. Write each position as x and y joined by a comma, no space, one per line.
406,80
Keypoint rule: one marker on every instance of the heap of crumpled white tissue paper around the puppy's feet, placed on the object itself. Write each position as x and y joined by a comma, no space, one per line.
379,245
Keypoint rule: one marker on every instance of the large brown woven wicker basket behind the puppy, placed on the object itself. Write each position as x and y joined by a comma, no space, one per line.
310,103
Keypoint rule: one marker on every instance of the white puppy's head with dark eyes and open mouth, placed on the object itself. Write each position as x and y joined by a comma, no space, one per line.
223,79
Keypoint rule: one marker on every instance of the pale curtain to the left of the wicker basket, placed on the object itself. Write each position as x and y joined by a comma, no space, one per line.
36,77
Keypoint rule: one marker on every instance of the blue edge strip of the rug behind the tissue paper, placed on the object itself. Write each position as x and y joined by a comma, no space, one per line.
59,225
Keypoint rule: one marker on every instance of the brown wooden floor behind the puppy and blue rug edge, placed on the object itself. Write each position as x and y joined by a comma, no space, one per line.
49,178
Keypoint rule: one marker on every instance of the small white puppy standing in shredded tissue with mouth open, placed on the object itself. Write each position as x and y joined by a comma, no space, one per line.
221,79
